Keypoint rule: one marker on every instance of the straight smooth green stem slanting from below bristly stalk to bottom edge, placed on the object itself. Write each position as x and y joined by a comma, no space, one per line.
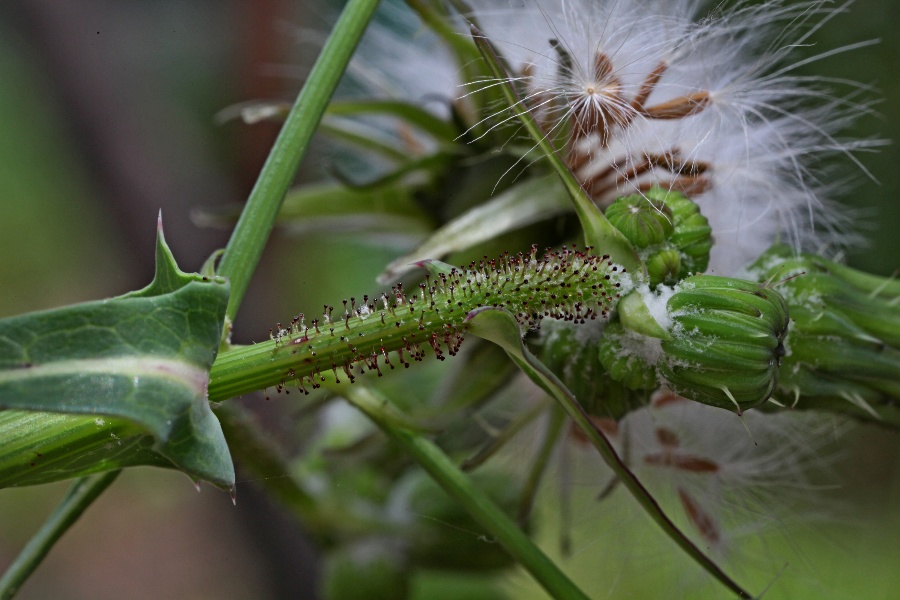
460,487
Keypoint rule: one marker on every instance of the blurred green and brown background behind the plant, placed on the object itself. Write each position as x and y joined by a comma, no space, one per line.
108,116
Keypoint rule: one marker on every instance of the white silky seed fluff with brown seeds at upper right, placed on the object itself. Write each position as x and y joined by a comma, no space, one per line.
710,103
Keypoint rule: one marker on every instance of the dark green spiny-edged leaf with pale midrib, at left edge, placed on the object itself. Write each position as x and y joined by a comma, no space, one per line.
144,357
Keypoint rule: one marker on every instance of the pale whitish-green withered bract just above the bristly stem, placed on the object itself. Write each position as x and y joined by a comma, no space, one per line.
525,203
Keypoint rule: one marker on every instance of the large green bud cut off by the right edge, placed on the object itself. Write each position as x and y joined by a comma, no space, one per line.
843,352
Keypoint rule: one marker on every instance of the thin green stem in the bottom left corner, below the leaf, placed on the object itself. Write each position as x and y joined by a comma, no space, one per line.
76,500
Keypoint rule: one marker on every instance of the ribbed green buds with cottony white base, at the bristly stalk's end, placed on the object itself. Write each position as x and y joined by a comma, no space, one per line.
715,340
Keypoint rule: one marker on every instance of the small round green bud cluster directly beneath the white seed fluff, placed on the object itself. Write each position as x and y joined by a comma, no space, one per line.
671,236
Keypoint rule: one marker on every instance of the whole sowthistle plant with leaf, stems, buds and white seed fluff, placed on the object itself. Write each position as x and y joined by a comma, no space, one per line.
685,147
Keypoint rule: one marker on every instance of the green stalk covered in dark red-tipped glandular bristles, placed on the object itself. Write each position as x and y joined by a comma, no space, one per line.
374,333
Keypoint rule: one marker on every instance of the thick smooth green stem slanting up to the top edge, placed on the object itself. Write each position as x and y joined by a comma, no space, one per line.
252,230
